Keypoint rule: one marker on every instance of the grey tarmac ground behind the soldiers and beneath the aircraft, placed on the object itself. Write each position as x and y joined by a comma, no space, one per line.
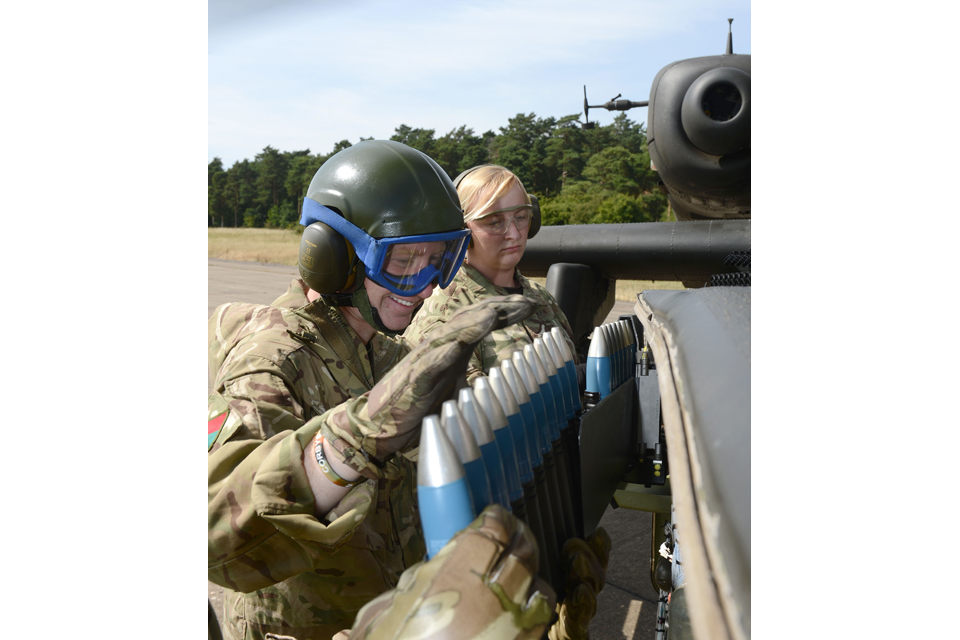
627,606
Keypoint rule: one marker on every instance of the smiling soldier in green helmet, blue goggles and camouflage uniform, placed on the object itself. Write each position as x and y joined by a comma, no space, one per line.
315,405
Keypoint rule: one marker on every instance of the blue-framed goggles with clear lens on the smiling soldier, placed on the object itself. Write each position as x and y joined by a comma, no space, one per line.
404,266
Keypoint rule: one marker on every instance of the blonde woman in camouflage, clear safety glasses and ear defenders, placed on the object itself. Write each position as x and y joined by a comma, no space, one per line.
501,215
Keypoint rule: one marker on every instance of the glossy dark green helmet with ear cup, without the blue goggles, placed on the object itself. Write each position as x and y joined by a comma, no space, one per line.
387,190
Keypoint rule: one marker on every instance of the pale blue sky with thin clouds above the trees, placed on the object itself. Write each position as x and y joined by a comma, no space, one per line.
295,74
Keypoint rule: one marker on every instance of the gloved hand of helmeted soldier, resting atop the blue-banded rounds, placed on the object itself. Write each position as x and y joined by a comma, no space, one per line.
387,418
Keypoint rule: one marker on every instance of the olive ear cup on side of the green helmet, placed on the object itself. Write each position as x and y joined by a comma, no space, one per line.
326,259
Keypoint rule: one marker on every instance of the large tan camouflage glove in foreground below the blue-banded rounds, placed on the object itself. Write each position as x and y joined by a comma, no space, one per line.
483,583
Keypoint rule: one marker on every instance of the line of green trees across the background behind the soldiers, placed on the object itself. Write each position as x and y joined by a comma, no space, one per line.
580,176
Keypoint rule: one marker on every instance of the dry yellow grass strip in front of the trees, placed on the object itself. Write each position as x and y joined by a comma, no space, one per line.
275,246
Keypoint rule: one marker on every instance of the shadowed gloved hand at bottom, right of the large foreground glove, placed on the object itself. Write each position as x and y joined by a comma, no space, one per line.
585,564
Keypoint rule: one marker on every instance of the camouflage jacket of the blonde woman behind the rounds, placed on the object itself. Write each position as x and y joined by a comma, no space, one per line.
468,287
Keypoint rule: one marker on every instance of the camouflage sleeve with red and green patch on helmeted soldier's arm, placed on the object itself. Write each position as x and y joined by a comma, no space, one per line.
261,523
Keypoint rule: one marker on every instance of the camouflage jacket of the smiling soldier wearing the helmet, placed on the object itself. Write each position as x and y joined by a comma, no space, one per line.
276,370
